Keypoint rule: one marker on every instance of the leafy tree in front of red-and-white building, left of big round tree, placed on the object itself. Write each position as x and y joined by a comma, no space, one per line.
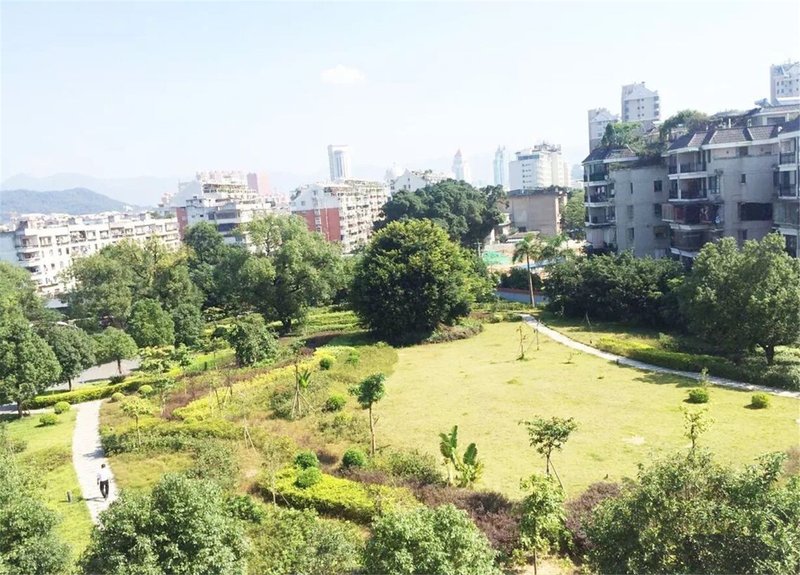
292,270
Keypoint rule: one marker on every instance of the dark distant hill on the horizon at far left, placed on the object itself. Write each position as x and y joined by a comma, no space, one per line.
75,201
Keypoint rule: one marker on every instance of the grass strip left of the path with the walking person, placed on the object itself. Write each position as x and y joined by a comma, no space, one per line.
50,450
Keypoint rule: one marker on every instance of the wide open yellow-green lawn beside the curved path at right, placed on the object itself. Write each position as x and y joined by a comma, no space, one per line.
625,416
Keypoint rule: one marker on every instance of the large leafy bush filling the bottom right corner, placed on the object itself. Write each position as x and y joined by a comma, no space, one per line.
691,515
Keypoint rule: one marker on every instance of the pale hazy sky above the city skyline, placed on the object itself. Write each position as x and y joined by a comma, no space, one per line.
144,88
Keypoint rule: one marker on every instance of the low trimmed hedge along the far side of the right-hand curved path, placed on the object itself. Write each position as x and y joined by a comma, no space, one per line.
778,376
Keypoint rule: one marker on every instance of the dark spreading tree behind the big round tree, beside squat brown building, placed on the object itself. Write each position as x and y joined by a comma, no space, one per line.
467,214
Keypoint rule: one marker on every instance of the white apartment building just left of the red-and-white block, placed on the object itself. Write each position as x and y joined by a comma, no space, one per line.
226,205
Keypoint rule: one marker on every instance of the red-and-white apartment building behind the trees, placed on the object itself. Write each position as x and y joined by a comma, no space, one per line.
344,211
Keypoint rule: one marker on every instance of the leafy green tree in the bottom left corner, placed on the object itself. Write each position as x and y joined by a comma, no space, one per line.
29,541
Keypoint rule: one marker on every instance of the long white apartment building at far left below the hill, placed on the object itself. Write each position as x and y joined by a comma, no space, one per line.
46,245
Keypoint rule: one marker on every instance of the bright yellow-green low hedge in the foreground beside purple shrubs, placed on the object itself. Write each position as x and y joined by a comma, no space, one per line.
338,497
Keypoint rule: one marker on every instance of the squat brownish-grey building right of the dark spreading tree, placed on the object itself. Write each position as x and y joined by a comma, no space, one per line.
537,210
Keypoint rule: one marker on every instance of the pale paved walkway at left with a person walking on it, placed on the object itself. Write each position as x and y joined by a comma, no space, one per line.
87,455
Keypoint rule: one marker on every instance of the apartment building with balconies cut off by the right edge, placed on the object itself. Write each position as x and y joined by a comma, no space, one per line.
786,213
